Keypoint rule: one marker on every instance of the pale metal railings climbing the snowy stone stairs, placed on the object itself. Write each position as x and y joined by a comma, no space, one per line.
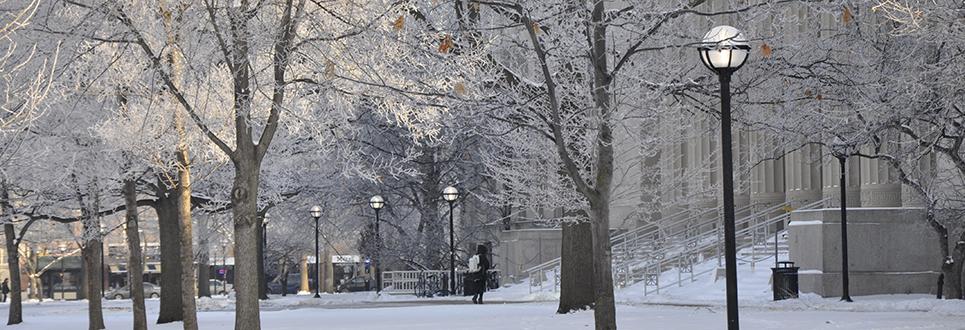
646,253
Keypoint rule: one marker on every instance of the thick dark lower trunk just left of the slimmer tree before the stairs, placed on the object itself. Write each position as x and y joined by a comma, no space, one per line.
576,289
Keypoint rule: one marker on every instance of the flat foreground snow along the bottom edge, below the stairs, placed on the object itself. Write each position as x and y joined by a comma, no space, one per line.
353,313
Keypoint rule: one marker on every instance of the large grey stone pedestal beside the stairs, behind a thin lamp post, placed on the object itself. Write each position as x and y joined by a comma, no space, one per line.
891,251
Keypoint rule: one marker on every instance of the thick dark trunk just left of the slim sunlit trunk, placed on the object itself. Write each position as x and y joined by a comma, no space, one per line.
170,231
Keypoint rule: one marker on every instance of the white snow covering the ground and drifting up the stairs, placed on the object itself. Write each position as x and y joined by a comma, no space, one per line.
696,305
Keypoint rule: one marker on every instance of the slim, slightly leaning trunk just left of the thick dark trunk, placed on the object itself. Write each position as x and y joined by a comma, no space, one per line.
135,269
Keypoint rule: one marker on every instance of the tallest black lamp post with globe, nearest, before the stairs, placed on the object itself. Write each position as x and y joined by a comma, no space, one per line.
724,50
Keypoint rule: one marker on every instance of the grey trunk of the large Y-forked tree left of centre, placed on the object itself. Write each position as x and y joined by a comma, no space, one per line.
244,199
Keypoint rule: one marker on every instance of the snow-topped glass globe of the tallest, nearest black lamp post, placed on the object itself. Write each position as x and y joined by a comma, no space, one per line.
724,48
